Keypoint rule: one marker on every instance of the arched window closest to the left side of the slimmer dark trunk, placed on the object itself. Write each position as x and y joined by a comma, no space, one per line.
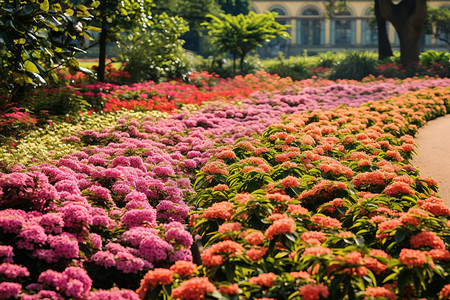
343,28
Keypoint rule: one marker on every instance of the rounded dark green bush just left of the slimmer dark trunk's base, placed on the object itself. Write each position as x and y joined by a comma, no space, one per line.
355,65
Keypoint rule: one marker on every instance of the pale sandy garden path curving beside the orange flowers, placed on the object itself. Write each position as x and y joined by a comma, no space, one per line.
433,154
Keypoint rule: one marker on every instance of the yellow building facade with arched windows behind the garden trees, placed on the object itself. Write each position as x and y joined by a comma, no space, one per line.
352,28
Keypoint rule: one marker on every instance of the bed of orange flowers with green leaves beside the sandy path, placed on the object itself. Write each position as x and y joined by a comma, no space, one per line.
325,205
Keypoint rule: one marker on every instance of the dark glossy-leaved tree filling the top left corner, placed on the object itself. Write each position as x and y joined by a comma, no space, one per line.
36,37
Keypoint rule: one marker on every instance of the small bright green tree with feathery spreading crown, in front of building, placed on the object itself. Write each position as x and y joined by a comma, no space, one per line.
241,34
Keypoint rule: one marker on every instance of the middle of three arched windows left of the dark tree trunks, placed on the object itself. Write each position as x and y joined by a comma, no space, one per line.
310,28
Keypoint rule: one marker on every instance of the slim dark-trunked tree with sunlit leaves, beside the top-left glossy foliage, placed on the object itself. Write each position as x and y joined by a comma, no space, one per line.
118,16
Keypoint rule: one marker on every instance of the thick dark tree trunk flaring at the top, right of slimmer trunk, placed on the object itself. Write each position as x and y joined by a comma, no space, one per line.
408,18
